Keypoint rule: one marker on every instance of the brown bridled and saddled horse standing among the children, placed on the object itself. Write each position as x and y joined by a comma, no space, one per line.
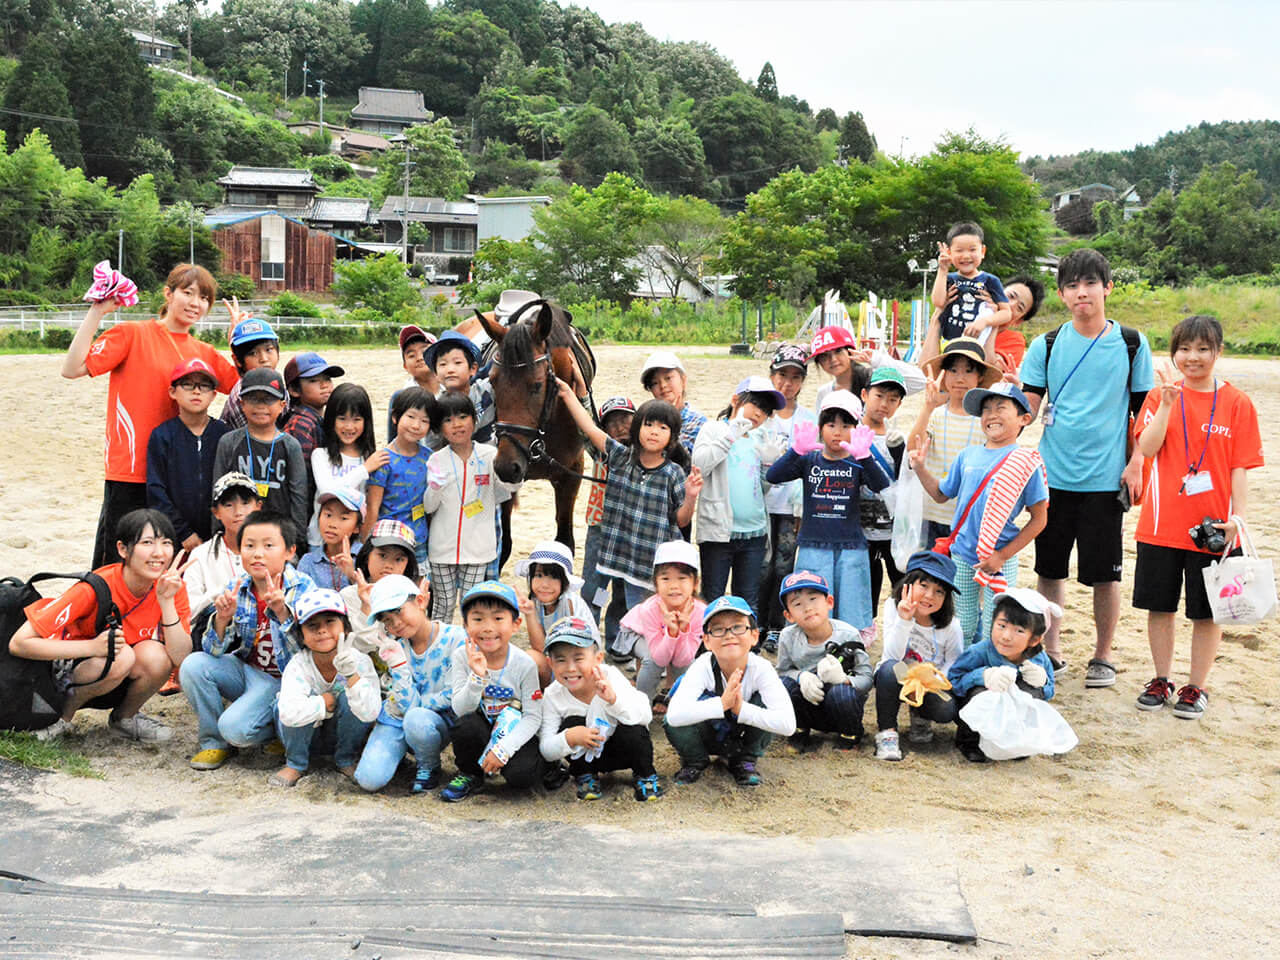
536,436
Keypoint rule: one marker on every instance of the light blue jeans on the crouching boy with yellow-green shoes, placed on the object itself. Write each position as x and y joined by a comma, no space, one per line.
250,717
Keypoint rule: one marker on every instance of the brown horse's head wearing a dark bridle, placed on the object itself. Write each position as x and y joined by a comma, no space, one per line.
524,388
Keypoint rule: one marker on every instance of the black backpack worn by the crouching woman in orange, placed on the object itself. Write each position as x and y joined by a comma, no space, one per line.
30,697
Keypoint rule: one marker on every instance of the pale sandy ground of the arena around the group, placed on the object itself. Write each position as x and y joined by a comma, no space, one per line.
1154,835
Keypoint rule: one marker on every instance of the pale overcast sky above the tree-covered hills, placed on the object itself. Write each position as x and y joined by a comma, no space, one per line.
1049,77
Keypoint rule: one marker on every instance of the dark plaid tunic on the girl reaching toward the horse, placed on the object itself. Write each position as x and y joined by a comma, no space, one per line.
639,514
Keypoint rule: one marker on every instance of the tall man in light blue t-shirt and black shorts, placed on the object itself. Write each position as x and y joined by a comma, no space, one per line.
1089,388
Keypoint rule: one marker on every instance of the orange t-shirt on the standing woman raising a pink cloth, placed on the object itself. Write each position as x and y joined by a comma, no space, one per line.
140,356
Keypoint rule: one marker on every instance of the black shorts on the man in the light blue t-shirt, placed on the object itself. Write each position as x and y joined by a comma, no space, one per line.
1094,523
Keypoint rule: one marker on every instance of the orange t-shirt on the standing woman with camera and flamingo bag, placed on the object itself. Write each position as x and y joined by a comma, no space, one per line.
1169,511
